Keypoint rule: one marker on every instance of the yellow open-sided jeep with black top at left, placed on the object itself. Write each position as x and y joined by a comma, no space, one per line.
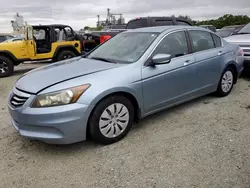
41,42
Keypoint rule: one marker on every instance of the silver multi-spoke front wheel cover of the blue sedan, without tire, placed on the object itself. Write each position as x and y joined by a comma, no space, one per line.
114,120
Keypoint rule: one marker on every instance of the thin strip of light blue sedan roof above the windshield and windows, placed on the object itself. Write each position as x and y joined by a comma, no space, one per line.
160,29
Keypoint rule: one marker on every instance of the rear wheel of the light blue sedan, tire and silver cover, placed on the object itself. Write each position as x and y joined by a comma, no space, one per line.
228,78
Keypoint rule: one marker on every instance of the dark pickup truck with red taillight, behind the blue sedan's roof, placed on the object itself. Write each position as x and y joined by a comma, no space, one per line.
98,37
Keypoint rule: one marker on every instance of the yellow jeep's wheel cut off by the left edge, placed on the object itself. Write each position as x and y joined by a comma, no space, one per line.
6,67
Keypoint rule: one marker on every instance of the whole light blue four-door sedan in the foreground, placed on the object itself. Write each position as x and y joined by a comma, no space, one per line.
132,75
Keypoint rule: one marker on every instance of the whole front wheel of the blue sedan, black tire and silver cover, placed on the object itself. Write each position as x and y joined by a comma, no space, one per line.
104,126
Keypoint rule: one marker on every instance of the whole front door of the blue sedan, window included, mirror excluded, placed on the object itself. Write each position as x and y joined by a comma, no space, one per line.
166,84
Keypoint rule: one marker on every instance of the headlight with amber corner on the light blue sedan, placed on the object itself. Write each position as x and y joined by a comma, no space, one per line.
58,98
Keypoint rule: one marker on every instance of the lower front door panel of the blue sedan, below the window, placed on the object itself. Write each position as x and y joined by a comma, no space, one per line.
167,84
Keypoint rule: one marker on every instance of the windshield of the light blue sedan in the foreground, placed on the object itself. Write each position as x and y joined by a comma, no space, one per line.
124,47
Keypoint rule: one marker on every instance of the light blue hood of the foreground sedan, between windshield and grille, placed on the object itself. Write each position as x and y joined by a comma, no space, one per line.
38,79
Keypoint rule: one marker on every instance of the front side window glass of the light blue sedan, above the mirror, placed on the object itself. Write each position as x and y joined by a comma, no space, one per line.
174,44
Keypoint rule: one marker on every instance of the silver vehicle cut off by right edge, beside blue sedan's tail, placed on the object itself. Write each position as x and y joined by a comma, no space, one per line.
242,38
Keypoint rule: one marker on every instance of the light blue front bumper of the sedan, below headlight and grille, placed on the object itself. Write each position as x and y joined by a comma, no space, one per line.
55,125
